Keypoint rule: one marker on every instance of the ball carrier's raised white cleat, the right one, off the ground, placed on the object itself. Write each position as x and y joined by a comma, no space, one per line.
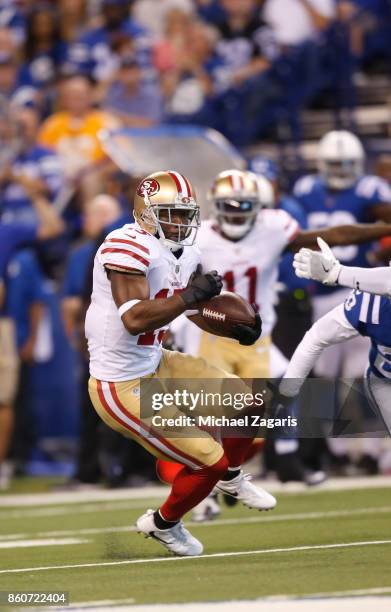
244,491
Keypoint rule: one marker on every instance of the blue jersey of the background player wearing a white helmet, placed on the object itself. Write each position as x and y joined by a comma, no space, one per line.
327,208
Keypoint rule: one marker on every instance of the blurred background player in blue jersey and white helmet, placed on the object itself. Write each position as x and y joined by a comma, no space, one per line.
342,193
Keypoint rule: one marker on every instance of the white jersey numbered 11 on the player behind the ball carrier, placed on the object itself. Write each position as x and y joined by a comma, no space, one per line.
249,266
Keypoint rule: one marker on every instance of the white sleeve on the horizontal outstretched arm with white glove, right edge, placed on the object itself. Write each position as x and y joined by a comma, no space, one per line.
371,280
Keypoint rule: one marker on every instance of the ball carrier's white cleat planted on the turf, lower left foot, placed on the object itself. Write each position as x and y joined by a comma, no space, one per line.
176,539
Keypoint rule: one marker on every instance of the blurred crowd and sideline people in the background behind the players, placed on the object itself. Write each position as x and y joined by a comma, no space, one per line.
271,75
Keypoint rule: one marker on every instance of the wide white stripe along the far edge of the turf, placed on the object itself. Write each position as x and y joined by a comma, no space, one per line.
73,497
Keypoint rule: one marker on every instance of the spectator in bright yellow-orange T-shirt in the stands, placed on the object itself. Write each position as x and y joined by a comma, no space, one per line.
73,133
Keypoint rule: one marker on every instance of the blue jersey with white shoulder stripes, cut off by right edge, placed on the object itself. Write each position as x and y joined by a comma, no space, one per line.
370,315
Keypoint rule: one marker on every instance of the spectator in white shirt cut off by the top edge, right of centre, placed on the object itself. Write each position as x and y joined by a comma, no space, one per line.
296,21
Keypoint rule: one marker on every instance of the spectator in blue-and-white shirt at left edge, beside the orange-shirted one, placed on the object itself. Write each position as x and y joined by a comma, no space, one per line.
33,167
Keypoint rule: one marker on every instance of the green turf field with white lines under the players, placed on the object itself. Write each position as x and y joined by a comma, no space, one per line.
103,536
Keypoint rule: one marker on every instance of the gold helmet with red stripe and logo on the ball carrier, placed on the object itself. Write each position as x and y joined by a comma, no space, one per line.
167,191
